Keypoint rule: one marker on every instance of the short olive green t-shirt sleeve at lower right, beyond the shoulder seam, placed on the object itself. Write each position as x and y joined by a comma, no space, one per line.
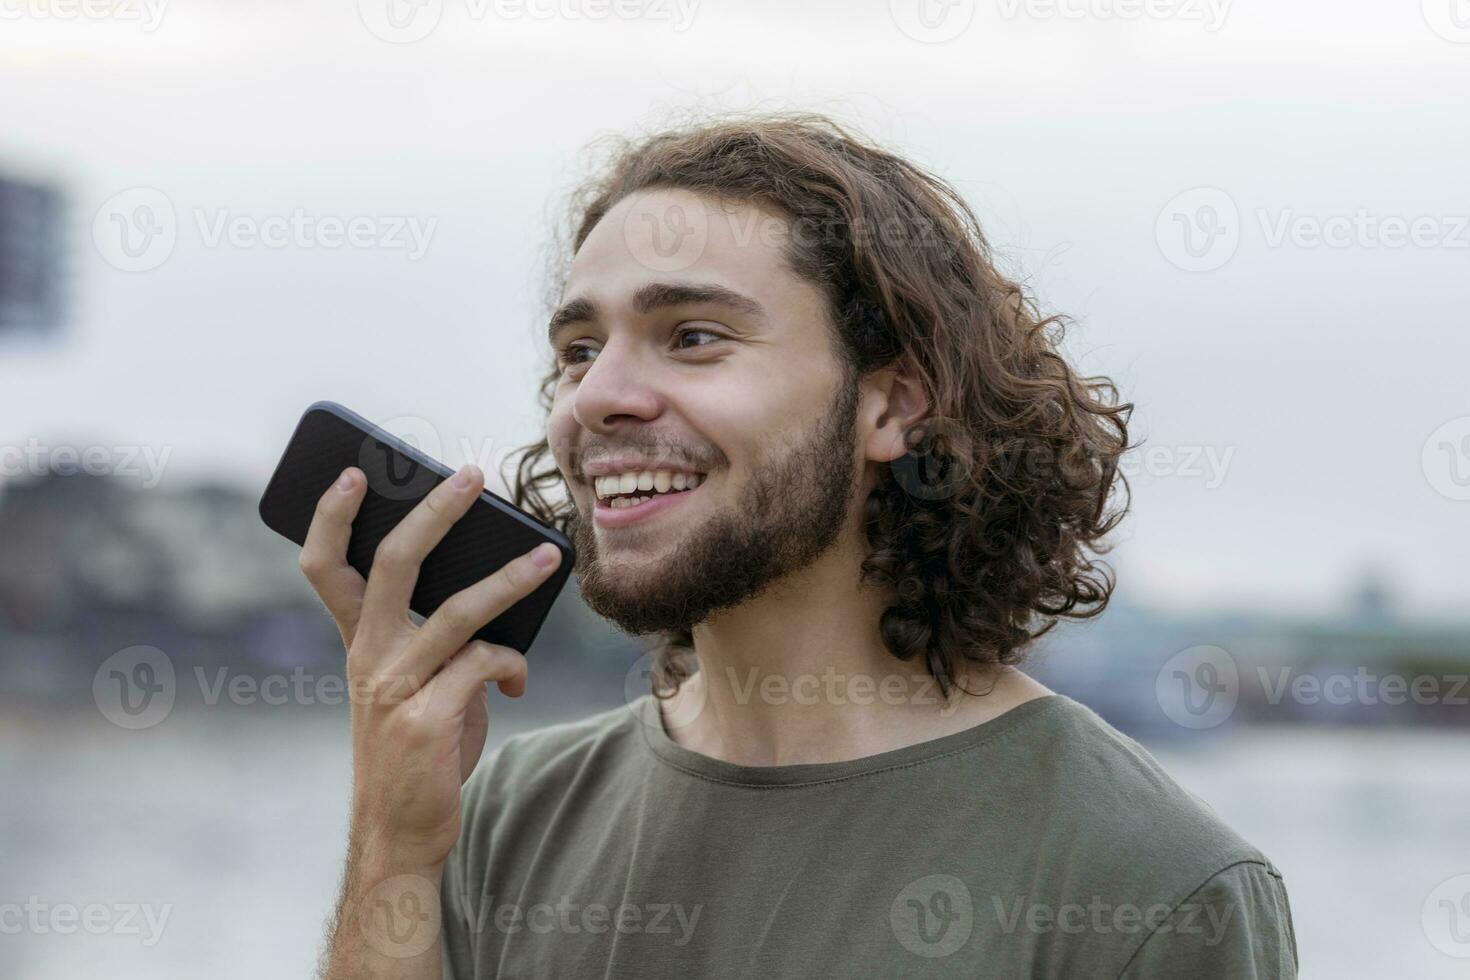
1237,926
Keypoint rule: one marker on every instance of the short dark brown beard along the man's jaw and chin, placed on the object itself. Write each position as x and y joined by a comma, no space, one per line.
790,512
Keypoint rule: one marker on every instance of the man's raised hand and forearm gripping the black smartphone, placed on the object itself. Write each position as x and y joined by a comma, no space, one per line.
420,715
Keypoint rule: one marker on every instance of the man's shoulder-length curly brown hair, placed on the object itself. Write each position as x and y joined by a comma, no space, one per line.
983,531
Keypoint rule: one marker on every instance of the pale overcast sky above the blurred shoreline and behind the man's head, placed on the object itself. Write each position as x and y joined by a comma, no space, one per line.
1166,179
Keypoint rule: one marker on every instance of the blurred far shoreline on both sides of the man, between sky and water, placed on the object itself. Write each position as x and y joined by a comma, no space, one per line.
93,565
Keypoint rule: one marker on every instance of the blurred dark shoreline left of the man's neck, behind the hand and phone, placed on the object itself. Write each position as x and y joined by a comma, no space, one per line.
93,565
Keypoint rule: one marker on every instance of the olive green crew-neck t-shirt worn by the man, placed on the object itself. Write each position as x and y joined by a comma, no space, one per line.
1040,844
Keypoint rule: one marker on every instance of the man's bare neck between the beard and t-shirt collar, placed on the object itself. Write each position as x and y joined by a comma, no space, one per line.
800,675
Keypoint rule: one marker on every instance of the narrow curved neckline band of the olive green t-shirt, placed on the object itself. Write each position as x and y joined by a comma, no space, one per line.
815,774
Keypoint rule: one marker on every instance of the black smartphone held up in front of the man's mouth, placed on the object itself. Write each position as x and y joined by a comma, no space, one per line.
490,536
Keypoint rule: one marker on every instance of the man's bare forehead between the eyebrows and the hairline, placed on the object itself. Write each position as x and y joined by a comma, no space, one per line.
675,234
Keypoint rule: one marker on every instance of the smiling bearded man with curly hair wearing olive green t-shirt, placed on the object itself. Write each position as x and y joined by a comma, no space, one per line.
843,774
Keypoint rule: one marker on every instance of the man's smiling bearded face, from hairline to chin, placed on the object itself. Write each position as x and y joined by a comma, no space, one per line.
687,346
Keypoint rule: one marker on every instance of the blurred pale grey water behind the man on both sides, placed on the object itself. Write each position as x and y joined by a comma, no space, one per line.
236,821
